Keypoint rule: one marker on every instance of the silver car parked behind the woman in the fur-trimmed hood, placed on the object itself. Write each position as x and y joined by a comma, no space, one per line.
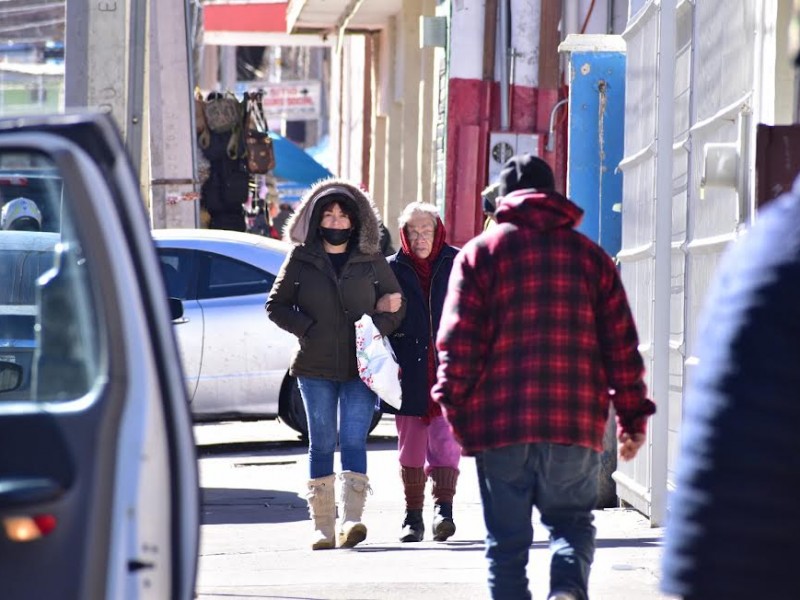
235,360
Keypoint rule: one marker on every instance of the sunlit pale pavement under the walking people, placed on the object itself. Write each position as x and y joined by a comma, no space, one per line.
255,528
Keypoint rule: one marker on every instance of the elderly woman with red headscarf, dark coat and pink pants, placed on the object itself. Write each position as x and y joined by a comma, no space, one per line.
426,445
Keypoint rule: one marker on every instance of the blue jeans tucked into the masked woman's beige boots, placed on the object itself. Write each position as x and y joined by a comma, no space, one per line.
356,406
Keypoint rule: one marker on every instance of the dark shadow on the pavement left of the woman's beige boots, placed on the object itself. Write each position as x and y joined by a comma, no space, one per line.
223,506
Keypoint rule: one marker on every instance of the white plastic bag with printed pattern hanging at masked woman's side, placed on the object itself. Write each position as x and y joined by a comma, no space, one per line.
377,365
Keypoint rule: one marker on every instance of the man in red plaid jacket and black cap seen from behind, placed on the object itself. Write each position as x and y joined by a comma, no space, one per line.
536,339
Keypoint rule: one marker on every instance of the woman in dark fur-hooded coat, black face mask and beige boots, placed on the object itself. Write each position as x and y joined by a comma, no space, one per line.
335,274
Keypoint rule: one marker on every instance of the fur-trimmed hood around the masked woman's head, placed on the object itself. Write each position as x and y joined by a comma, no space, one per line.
300,229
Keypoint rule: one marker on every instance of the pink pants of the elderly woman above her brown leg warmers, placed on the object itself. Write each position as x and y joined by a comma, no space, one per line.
426,444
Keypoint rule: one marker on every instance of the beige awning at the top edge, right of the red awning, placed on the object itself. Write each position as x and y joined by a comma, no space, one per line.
337,16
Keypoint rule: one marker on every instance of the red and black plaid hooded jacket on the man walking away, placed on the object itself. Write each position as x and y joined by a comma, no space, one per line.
536,336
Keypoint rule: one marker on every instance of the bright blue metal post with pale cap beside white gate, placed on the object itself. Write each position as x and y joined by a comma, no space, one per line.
596,143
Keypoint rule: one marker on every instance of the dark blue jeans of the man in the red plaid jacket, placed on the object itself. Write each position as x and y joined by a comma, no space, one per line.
561,481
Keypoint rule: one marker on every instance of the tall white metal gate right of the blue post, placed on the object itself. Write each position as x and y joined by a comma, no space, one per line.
714,101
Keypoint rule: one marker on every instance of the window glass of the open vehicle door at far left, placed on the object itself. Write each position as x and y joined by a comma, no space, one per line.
47,319
